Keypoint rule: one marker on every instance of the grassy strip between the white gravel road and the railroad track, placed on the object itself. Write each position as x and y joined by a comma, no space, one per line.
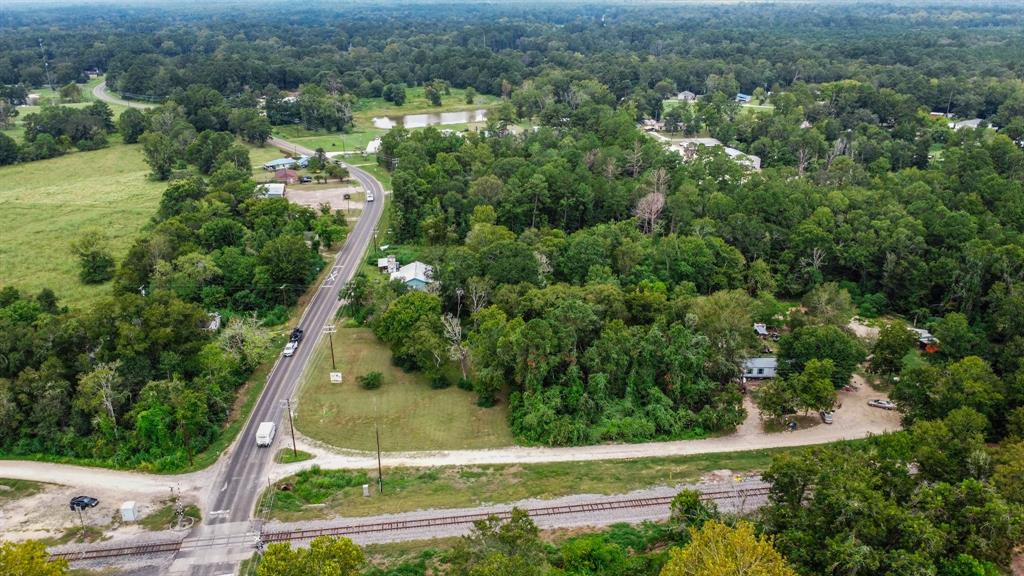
318,493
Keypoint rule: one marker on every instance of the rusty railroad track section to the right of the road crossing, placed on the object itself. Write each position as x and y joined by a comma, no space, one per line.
456,520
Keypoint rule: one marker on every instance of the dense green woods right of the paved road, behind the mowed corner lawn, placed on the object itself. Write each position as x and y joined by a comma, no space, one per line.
612,287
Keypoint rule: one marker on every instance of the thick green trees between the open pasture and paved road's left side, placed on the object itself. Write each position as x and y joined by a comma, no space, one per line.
141,381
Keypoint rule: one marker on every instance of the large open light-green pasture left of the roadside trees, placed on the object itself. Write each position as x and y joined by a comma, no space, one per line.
46,205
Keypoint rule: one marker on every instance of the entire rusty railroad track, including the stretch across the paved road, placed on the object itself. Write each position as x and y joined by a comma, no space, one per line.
454,520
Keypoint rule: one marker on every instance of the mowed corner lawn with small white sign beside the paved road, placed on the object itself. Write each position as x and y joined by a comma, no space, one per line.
410,414
